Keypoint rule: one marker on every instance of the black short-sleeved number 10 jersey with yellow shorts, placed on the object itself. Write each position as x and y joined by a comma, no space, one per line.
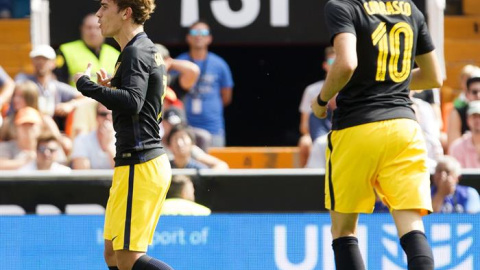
376,142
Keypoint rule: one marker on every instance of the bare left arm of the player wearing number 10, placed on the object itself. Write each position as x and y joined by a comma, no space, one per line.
342,69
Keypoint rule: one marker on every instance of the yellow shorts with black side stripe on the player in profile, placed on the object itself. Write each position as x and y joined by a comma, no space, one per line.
136,198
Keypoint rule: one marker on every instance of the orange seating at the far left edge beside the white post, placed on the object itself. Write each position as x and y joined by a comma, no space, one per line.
15,46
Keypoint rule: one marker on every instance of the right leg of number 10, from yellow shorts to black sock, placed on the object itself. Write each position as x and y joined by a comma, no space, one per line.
404,185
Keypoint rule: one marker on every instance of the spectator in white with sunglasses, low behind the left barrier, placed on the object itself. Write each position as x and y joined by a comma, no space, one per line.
47,155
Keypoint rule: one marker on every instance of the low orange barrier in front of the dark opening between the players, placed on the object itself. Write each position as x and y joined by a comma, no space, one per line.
257,157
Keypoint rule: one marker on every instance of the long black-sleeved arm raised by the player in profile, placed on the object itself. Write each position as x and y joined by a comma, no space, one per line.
134,78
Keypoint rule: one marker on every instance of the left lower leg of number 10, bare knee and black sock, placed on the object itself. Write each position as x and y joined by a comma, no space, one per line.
345,243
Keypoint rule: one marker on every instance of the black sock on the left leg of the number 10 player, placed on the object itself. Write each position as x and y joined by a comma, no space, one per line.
347,254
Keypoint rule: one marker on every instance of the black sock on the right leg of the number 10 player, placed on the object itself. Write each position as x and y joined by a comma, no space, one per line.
419,253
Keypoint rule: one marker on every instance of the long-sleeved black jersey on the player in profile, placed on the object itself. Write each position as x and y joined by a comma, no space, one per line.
135,98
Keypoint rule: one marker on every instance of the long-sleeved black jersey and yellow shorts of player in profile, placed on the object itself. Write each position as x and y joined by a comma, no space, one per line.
142,172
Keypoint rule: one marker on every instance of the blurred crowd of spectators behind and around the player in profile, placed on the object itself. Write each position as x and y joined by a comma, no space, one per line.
44,107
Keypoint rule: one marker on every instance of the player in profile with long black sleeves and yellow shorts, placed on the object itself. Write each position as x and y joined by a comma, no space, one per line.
142,171
